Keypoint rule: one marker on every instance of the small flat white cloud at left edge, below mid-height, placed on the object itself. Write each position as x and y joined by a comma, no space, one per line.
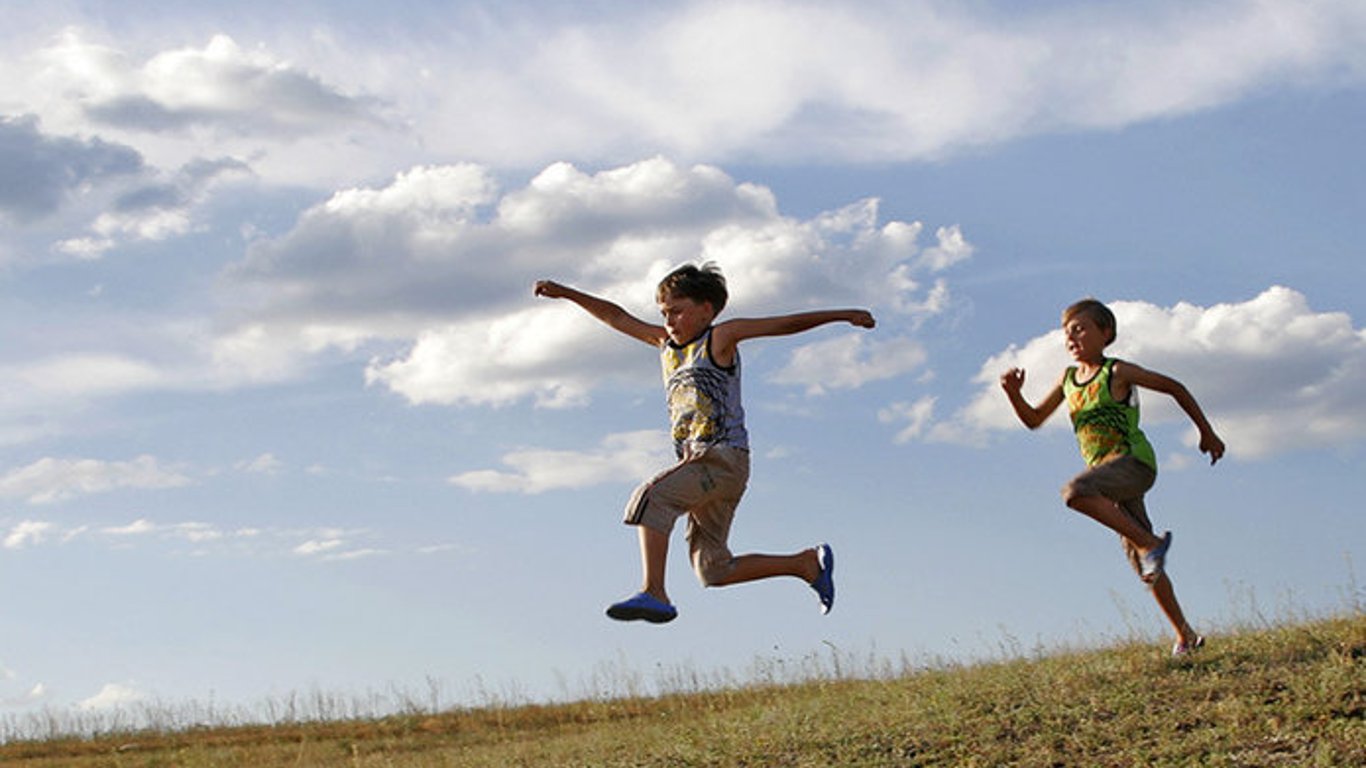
55,480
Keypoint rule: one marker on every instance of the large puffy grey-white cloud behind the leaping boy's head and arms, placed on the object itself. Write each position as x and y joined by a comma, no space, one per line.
443,264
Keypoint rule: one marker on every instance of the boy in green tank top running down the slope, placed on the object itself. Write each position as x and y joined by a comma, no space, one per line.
1122,467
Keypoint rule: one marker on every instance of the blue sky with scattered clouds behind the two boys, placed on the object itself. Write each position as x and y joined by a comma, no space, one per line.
282,413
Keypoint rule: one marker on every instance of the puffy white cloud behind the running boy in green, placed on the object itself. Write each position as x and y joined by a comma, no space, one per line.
1271,374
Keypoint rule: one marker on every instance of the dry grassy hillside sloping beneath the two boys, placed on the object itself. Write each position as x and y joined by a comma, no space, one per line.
1292,695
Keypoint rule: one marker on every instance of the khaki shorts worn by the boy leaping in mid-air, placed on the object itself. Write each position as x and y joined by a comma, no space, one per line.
707,487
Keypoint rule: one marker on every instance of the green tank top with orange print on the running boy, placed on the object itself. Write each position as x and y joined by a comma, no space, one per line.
1106,428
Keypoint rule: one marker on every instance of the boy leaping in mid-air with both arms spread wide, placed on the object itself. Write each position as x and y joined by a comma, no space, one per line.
703,383
